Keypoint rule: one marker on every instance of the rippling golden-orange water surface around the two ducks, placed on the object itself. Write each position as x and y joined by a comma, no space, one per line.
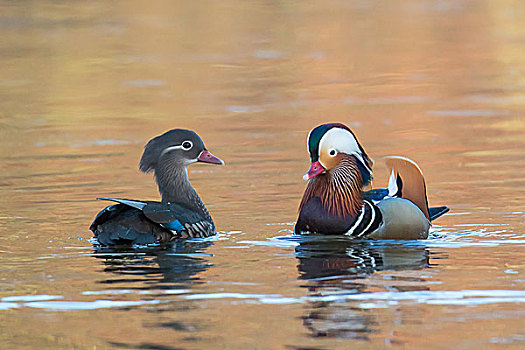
84,85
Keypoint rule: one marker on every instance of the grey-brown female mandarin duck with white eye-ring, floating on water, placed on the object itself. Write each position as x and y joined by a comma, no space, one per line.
181,213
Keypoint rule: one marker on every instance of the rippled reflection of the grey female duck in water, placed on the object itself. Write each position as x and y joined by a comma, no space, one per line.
157,274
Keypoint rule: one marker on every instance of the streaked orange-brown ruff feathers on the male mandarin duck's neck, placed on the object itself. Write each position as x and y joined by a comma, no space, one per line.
340,189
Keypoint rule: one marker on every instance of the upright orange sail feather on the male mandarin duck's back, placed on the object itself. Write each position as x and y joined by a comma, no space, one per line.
407,181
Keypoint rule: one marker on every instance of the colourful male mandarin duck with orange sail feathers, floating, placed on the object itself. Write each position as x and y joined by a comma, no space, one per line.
335,202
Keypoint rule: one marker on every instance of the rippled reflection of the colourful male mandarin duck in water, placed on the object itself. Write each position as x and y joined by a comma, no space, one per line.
336,267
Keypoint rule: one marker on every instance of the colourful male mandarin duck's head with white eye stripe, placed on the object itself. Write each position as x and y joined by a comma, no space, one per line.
329,145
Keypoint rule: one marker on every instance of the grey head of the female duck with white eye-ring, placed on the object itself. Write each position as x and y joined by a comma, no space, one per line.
177,147
